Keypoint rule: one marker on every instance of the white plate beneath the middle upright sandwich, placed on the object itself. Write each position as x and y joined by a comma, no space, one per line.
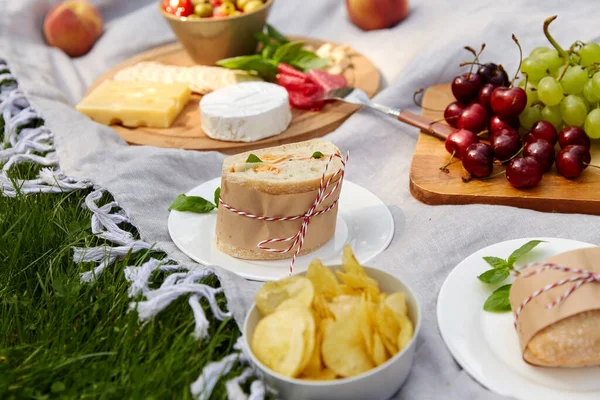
363,221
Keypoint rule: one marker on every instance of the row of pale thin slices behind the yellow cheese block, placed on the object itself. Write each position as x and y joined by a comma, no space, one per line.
201,79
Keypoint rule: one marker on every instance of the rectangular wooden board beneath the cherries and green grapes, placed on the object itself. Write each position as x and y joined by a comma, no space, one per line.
432,186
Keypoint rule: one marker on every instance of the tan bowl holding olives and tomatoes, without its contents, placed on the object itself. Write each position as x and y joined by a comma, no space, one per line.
208,40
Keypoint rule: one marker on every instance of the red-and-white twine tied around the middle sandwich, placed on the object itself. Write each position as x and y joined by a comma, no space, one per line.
298,239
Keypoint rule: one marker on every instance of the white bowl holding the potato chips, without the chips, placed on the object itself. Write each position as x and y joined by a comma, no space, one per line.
379,383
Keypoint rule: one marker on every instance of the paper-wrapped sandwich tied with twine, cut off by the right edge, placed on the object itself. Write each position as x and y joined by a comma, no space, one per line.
568,333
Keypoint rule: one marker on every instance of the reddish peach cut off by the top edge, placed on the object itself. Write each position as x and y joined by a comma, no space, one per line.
376,14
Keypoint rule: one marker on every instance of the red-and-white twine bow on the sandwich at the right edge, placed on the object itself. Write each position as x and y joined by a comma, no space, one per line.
583,276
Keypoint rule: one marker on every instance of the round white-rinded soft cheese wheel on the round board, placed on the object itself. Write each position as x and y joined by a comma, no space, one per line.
245,112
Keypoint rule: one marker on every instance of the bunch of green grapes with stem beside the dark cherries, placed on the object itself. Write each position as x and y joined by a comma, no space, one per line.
562,86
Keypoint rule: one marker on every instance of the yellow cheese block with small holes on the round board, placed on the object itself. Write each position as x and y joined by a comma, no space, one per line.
135,104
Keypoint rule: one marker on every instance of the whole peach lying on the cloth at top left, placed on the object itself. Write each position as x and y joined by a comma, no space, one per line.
73,26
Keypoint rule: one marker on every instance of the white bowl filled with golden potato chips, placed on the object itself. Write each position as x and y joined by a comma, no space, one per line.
342,332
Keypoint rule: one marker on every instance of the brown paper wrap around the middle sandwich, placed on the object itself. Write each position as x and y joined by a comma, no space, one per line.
245,233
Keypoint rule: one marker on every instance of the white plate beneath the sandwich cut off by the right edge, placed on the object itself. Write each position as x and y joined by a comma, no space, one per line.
486,344
